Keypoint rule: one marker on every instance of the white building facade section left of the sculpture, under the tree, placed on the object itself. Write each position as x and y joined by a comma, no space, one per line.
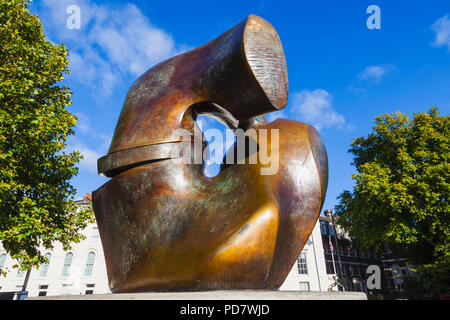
81,270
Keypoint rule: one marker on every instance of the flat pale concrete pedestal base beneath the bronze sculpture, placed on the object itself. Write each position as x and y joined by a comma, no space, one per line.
217,295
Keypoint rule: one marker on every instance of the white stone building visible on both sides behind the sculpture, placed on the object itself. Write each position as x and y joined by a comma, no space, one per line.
82,270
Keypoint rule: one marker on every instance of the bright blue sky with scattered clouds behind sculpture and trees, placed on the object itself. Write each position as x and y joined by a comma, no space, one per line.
341,74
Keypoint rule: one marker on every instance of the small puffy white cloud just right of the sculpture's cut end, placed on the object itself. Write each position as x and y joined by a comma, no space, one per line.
312,107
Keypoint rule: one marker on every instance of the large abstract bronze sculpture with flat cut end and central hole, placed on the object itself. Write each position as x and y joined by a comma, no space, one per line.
164,225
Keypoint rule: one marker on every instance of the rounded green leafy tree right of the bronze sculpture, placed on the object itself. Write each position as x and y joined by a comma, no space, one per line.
399,199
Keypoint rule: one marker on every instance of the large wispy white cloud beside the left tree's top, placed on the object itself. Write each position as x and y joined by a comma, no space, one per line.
113,42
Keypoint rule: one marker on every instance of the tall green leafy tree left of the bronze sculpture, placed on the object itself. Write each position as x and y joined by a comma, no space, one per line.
37,205
